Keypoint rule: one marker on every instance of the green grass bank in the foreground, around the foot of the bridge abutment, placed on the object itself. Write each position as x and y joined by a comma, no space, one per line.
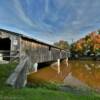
36,93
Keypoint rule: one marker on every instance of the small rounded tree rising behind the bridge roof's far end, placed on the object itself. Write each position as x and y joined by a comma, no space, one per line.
62,44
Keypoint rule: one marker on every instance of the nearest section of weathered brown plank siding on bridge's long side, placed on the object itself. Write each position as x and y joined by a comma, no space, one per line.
37,52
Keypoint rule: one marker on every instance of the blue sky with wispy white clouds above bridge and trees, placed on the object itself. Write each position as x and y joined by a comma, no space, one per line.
51,20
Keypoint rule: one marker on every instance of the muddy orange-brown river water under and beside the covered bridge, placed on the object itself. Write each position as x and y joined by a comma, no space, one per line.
87,72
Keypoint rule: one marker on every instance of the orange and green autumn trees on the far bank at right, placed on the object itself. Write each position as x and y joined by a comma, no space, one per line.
90,43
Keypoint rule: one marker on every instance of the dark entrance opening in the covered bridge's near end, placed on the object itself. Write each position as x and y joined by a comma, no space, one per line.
5,48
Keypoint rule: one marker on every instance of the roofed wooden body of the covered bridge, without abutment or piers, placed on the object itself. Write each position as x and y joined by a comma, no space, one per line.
14,45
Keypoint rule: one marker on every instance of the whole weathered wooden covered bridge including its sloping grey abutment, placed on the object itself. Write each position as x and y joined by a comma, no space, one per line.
29,52
